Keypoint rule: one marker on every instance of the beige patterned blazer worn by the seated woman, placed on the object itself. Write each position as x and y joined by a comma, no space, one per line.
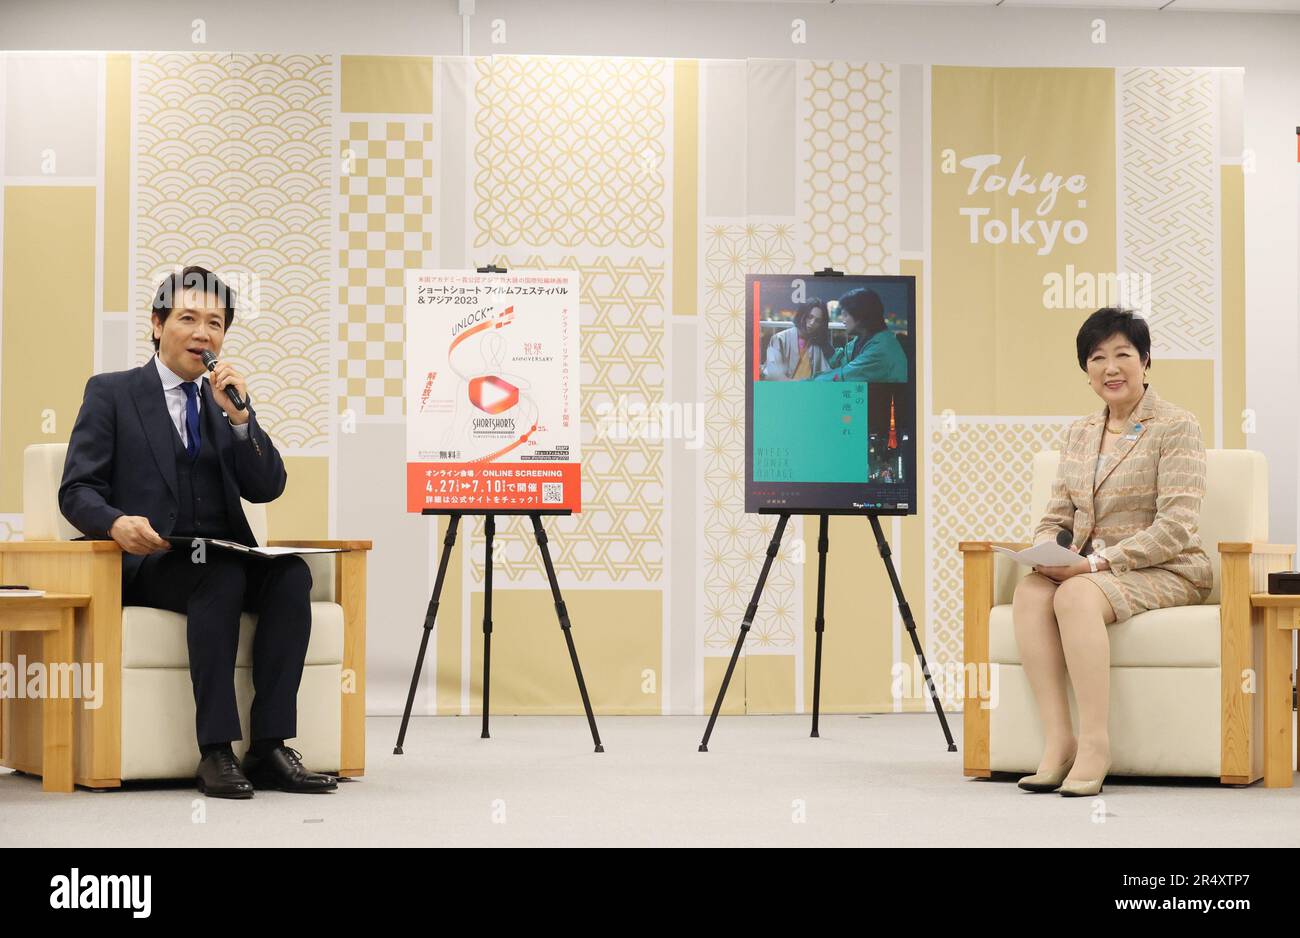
1146,505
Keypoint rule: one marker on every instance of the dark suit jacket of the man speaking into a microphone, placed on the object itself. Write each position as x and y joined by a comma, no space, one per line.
122,459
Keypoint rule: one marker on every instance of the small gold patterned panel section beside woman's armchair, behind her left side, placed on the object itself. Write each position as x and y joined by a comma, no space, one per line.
977,492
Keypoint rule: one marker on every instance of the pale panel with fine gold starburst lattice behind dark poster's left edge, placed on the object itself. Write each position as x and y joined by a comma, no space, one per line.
735,544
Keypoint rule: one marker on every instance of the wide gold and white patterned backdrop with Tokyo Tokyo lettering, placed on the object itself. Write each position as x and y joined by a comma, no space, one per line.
317,181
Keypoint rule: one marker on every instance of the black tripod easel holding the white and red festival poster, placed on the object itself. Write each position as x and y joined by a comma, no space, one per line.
432,611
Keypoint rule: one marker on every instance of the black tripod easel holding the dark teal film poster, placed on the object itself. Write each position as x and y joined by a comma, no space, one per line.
820,623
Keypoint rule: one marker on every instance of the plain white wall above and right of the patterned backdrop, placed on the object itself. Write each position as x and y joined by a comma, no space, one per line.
1266,45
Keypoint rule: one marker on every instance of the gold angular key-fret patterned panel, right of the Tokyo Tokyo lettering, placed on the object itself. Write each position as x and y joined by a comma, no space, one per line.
1169,210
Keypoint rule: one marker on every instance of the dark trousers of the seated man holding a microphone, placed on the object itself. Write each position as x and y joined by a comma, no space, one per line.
213,594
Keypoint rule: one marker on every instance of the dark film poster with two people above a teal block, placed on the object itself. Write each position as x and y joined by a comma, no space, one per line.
831,394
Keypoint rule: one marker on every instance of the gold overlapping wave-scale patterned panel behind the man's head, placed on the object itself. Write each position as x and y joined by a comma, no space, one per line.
233,168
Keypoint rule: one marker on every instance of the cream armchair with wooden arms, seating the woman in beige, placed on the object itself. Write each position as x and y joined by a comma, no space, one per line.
1184,681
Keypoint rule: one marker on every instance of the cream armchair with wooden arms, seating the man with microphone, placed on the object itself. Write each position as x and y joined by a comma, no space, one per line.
145,726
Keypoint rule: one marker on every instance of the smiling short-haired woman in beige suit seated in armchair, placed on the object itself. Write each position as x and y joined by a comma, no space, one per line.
1129,493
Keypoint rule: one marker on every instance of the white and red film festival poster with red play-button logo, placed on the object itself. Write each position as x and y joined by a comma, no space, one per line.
493,392
